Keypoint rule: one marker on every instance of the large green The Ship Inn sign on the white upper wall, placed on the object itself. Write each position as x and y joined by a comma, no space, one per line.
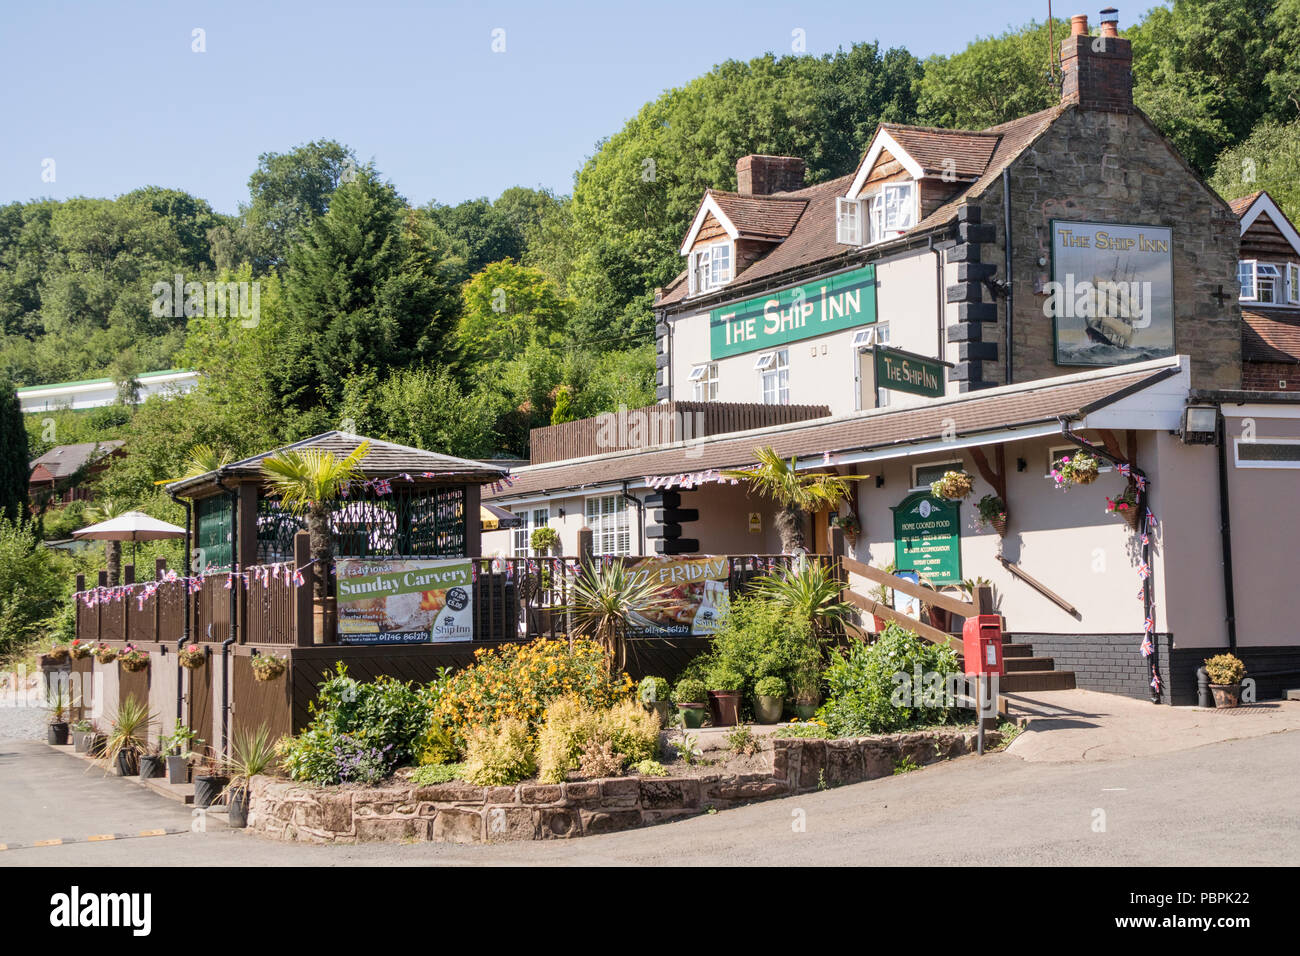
816,309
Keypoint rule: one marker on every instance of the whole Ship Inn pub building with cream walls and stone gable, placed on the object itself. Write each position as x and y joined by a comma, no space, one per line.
987,301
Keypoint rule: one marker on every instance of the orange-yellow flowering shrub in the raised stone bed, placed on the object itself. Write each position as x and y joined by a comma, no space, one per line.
521,681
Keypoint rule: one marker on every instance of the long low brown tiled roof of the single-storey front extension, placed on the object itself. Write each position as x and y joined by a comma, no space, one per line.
1016,406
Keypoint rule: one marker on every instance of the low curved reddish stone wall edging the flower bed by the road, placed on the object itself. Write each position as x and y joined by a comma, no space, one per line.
463,814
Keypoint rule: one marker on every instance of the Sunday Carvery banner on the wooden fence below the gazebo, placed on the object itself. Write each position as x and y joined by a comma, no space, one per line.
405,602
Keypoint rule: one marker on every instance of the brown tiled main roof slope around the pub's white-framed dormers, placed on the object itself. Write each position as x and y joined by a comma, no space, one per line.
812,241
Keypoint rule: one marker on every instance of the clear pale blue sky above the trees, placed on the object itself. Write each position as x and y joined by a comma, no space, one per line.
115,96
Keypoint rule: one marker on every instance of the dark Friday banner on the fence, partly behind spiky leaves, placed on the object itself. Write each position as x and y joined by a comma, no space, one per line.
694,595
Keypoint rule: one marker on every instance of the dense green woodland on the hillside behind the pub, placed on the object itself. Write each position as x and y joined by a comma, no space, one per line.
458,328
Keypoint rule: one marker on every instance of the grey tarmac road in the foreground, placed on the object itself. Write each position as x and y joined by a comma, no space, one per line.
1232,802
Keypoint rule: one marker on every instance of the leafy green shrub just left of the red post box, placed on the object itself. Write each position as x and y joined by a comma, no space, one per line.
873,689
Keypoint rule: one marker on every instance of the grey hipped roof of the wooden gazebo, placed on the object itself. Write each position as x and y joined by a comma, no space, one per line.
385,460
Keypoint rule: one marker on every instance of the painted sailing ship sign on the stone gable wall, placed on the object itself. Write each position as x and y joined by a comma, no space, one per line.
1112,293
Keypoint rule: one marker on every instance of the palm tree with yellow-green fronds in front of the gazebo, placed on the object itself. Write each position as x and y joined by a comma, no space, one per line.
309,483
